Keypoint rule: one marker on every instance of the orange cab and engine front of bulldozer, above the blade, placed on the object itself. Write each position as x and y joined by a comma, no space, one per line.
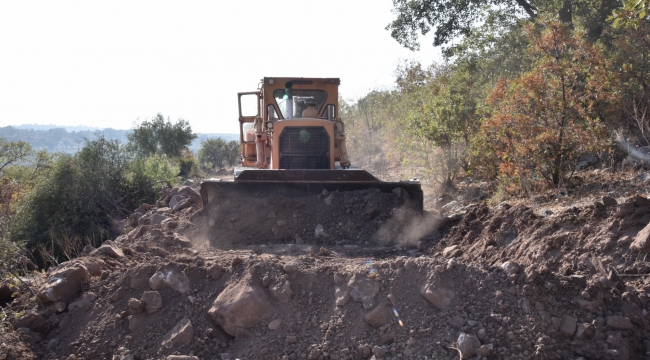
292,123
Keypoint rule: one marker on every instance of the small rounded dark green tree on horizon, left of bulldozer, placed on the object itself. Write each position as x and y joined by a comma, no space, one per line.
160,136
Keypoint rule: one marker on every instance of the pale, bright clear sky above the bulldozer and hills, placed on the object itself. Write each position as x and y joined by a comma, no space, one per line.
109,63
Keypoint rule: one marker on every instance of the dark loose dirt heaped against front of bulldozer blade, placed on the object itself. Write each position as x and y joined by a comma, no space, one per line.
336,218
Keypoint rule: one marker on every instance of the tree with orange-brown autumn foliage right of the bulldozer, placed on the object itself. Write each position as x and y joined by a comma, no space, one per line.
544,119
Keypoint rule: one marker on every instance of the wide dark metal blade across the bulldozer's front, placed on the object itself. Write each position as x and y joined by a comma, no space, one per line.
302,183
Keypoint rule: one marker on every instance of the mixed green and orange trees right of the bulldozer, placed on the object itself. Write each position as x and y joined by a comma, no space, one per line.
525,91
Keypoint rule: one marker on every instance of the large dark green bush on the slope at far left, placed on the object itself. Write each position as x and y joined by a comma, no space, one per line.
81,195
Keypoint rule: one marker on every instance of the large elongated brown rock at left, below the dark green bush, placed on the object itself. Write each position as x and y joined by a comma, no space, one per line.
63,284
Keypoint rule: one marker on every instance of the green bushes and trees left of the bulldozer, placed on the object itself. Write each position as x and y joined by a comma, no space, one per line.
52,205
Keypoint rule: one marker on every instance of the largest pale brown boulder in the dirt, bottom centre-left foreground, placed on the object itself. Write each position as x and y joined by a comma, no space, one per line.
240,306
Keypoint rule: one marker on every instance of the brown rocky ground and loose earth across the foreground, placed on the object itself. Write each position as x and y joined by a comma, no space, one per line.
349,276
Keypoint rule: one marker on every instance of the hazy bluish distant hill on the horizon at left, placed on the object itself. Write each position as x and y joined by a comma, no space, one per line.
66,140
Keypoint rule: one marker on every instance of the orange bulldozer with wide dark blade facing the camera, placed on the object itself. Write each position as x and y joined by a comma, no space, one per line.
293,145
